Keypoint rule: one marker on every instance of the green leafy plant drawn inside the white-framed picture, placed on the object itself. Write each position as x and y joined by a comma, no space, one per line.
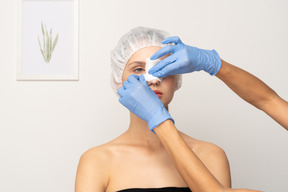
48,47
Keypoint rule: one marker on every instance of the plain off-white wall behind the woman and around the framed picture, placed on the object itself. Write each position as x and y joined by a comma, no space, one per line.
45,126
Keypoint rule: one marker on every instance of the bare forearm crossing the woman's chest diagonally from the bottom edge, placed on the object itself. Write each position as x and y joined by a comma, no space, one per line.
190,167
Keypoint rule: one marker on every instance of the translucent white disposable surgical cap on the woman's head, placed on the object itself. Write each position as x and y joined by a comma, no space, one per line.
131,42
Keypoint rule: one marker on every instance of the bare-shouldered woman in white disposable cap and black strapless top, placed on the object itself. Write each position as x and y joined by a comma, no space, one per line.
137,158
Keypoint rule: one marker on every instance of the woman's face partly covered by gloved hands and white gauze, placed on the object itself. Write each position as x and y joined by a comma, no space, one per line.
166,86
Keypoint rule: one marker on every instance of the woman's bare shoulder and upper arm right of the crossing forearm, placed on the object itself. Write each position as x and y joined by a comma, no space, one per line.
213,157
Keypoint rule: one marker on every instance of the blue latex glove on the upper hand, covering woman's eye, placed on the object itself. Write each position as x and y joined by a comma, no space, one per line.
185,59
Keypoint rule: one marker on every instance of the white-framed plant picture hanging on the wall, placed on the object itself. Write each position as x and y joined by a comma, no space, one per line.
47,41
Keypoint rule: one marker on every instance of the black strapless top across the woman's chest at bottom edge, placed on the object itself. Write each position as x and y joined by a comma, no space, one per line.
162,189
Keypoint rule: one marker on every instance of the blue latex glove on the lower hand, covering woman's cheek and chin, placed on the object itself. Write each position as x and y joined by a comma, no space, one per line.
140,99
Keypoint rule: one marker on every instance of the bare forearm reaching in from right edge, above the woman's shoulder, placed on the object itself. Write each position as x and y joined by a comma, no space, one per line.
255,92
